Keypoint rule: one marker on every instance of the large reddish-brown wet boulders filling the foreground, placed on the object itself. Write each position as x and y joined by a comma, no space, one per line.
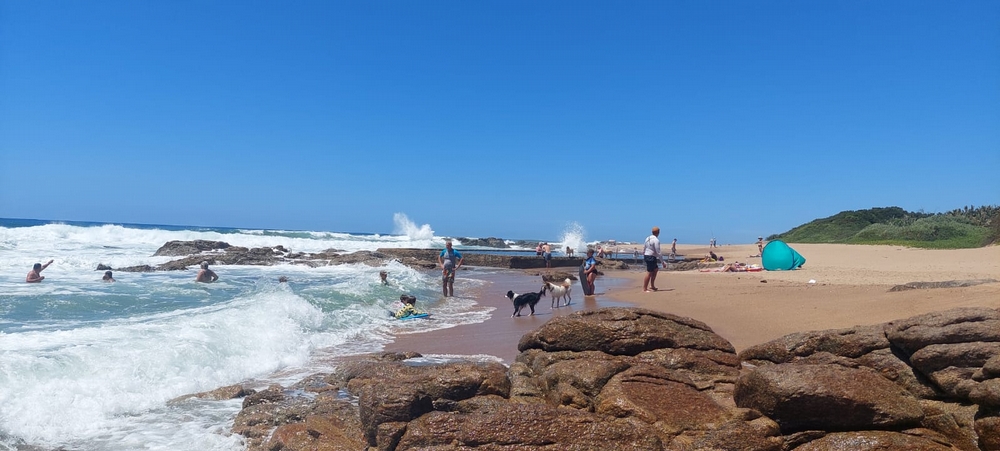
635,379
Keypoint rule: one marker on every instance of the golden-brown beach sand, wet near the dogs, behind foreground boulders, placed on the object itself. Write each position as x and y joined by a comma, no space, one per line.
851,287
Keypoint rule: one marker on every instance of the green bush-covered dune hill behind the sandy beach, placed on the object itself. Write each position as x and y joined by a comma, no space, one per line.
961,228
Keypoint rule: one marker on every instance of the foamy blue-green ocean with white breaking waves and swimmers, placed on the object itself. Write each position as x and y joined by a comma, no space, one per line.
88,365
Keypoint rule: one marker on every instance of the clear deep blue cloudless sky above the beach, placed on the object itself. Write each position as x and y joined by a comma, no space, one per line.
497,118
